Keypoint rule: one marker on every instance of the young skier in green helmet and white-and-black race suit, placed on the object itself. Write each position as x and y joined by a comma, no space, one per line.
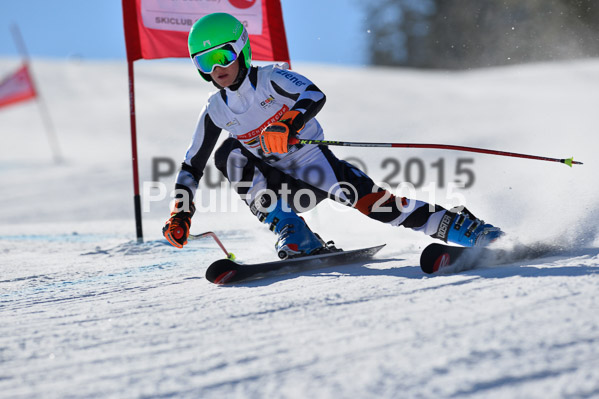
265,110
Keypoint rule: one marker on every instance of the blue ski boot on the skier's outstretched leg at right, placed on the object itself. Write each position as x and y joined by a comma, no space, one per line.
465,229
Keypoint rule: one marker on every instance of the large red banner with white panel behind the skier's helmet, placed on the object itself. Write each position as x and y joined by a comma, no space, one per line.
159,28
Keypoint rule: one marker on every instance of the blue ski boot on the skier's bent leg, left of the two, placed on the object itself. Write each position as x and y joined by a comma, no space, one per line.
295,237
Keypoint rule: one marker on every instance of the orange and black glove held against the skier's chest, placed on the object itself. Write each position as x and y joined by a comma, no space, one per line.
276,136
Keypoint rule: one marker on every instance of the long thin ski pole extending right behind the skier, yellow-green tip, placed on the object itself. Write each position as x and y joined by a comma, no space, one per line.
567,161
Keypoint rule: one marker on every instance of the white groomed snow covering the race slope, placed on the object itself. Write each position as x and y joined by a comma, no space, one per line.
86,312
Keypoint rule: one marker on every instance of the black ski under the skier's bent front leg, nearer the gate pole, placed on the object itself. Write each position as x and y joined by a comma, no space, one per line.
226,271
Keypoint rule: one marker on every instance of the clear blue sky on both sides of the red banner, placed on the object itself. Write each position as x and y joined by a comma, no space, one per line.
329,31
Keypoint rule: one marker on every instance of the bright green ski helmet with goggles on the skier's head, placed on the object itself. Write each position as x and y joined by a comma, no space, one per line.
225,37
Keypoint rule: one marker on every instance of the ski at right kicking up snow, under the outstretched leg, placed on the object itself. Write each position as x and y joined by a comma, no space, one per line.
444,259
